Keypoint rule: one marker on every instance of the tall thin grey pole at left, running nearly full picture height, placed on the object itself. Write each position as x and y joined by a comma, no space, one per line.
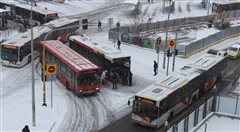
32,62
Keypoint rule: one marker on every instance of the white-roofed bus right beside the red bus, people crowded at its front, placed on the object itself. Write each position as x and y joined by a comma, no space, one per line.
112,60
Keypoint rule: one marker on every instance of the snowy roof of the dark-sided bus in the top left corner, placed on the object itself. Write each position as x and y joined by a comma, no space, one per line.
28,7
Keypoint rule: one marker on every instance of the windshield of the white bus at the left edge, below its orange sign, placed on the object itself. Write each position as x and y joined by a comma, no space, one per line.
9,53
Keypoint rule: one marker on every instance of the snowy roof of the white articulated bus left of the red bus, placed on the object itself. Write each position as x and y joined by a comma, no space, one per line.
22,38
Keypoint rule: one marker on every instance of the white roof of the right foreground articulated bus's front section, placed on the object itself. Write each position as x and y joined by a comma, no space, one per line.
166,86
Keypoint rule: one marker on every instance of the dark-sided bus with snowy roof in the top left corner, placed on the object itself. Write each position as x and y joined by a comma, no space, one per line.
21,12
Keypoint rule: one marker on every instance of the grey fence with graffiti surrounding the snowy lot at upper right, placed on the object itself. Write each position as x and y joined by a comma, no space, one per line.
140,34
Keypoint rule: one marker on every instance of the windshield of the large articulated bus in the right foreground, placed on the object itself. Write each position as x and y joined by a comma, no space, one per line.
143,109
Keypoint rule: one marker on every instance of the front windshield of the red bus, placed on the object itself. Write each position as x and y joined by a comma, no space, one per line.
88,79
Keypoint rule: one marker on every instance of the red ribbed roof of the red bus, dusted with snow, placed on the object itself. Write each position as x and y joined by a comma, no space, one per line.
69,56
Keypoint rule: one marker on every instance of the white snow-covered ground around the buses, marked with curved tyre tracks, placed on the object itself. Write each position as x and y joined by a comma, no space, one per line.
70,112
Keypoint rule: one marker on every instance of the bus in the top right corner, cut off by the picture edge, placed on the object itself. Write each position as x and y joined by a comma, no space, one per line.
220,6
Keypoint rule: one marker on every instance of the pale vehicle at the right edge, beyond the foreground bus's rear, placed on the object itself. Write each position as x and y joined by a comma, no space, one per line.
234,51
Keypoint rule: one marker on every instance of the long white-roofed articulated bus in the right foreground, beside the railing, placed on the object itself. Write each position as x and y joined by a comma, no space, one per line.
160,102
